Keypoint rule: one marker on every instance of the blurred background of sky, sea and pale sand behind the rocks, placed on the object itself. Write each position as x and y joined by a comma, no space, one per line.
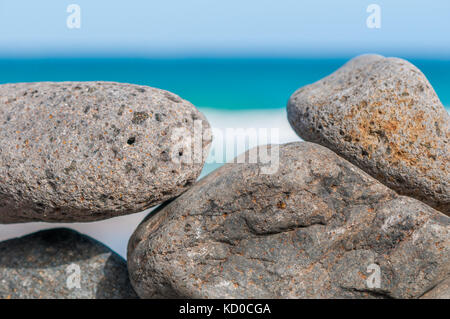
237,61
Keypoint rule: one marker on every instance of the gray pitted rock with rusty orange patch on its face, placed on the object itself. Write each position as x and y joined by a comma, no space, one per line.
382,115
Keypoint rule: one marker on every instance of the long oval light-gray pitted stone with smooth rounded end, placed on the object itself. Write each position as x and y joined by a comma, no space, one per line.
85,151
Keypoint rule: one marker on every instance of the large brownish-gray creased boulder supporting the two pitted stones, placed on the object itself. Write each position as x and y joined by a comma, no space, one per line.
316,228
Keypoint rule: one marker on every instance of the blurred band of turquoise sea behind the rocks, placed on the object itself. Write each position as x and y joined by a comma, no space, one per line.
232,83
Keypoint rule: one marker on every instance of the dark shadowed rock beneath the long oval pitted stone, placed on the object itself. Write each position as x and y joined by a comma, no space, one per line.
61,263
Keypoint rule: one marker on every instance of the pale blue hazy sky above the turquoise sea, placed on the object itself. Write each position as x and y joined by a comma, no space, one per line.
167,28
